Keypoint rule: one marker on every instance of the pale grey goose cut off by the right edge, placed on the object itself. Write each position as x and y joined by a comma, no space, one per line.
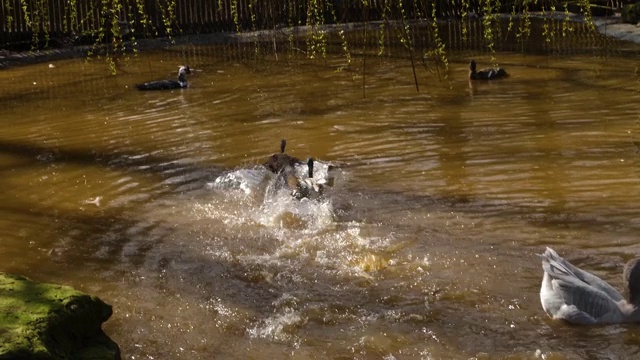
578,297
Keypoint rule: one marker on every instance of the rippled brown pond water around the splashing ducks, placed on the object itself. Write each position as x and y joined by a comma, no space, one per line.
425,247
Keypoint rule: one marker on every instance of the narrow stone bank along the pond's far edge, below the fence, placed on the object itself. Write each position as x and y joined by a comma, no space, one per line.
610,26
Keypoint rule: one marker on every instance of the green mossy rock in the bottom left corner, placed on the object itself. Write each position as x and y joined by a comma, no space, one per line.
53,322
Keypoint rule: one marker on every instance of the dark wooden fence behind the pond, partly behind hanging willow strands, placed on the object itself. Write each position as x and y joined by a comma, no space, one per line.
26,21
